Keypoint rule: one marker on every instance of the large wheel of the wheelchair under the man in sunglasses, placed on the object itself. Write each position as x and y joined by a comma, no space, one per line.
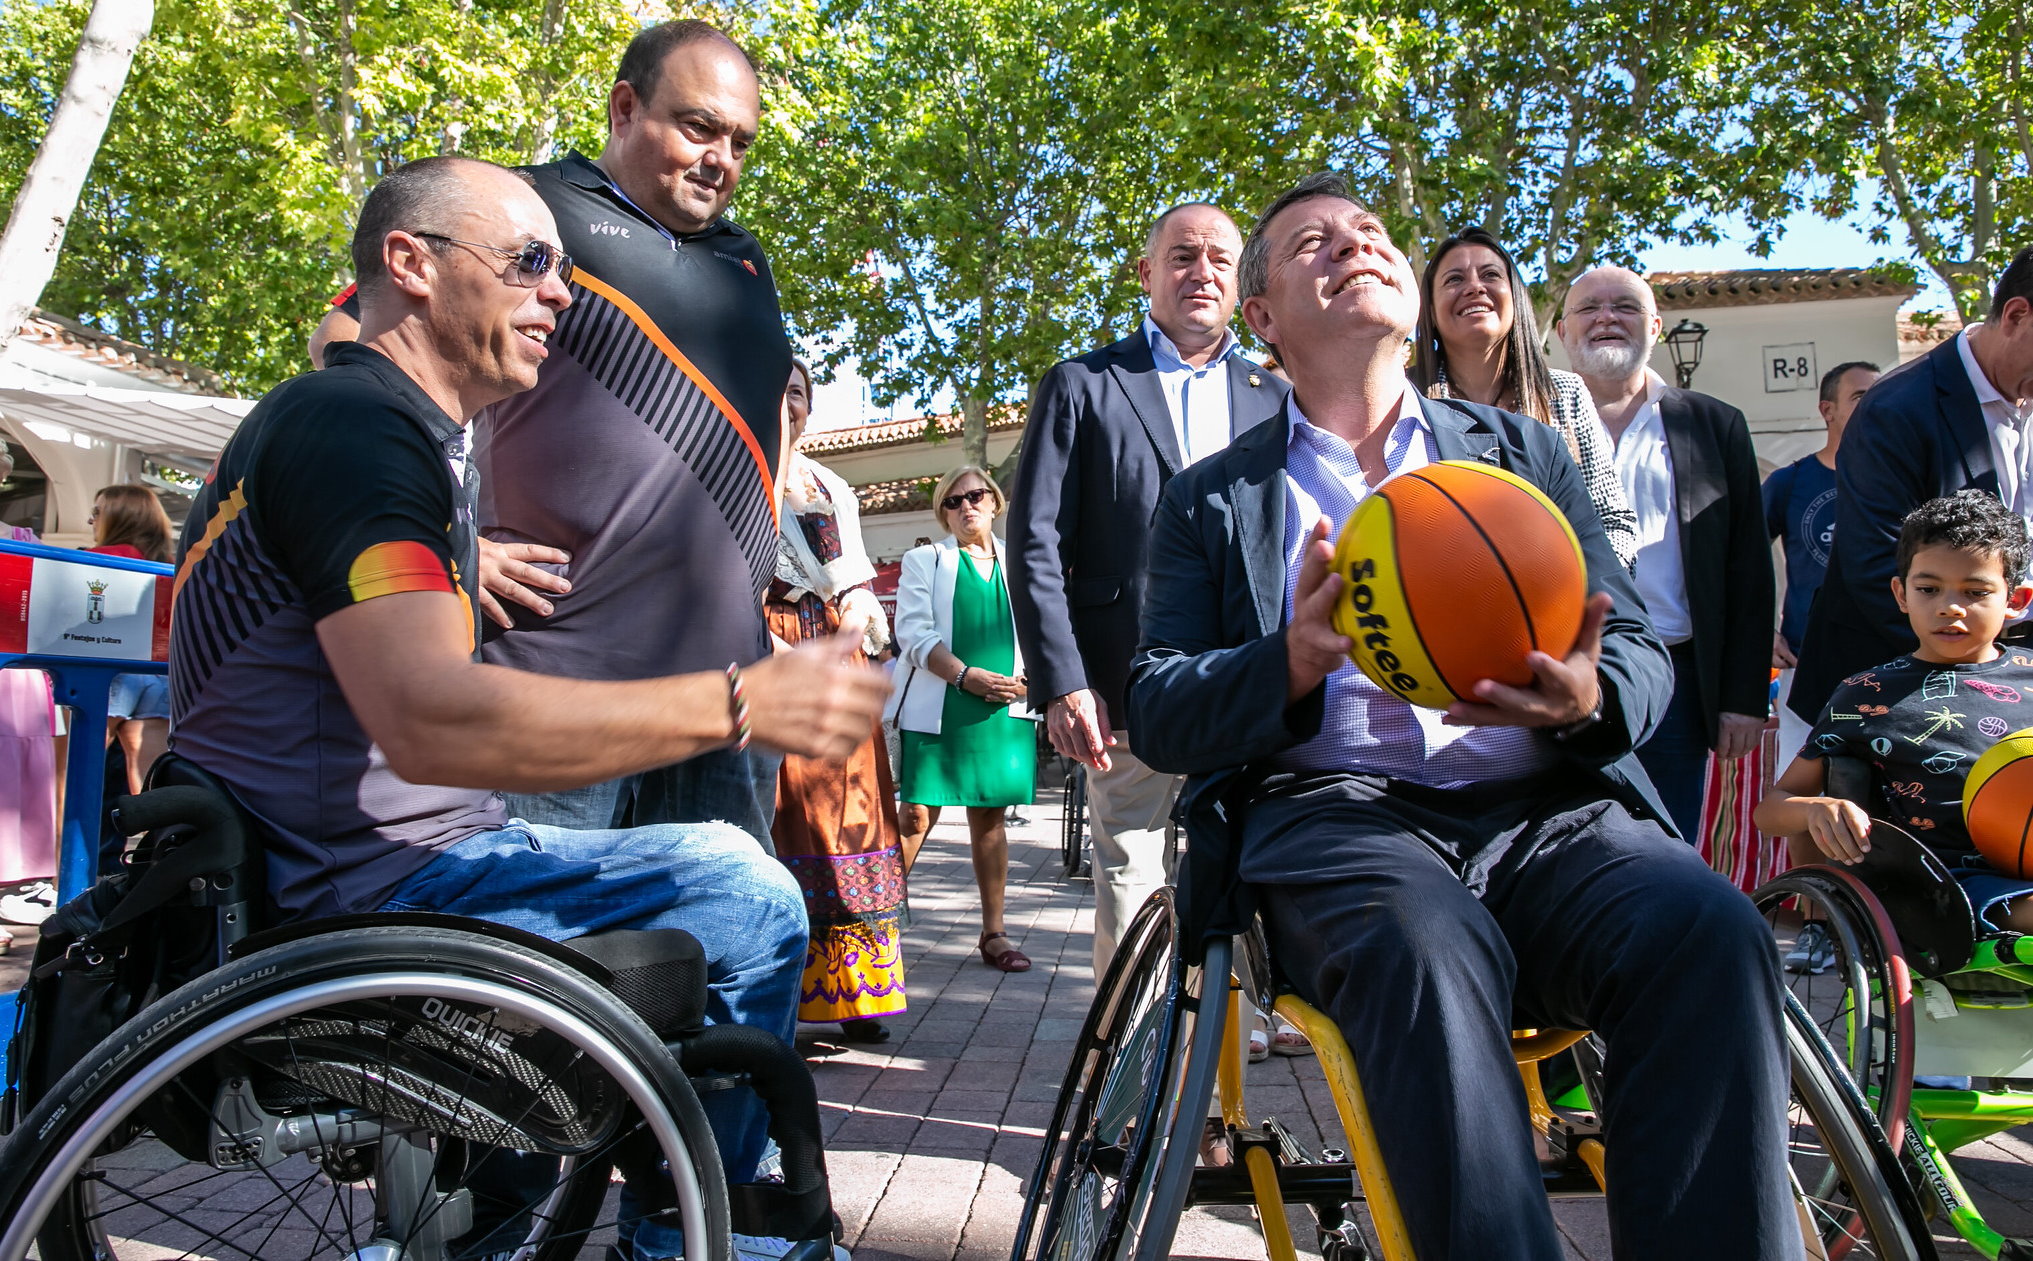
369,1093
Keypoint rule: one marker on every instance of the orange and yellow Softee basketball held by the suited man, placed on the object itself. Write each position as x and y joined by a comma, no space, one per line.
1455,573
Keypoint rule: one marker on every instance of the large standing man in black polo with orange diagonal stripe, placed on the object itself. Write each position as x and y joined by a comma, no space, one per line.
648,453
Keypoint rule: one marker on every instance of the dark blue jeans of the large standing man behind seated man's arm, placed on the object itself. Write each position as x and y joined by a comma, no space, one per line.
715,788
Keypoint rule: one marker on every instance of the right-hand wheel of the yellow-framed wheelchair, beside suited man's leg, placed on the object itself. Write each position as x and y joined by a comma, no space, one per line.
1853,1197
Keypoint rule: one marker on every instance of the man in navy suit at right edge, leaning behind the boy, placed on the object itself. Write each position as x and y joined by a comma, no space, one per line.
1924,432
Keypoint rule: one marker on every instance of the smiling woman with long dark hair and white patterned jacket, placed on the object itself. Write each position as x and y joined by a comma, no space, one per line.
1479,341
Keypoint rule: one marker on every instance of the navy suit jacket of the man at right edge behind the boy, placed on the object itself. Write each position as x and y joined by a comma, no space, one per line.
1918,434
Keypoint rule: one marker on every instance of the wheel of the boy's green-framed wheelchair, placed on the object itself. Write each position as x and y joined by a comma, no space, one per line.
1861,998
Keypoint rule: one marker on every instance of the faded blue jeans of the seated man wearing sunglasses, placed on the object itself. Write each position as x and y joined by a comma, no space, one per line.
709,880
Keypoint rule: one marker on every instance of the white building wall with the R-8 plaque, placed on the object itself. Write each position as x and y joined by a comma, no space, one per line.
1743,341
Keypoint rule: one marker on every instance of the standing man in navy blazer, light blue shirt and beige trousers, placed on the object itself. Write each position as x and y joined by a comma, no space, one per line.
1107,432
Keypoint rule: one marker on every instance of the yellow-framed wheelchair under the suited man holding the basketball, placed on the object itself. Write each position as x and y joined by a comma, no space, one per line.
1164,1038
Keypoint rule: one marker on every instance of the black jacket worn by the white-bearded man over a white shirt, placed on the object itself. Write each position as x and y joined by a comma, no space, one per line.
1725,554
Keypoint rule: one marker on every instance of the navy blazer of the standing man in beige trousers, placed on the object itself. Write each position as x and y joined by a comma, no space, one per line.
1097,453
